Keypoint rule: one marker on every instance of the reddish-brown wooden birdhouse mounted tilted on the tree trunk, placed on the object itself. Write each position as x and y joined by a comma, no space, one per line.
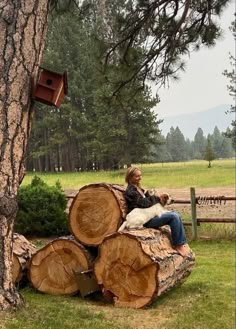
50,88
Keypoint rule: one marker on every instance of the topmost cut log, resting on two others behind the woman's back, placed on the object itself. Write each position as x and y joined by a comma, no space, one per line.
97,211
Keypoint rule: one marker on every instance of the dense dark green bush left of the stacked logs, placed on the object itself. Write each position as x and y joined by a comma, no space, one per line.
41,209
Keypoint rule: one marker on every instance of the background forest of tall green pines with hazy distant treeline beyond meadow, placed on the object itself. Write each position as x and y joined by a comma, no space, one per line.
92,130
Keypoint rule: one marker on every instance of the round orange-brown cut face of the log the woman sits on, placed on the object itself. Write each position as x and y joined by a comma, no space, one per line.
135,270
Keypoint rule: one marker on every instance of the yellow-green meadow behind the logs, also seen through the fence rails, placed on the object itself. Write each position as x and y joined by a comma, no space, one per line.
164,176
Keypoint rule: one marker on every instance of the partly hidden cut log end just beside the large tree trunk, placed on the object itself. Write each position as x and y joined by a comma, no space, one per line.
22,253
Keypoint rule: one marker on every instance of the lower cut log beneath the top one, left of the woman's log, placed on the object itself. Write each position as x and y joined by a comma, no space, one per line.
52,268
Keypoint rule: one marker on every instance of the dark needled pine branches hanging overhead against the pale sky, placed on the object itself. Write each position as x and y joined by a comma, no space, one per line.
164,31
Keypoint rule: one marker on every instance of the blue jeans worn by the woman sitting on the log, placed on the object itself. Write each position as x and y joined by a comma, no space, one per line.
176,226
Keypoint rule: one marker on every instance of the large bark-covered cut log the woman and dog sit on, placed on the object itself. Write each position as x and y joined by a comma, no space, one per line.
136,266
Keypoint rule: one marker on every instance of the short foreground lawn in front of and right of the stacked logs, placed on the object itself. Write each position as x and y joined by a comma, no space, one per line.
205,301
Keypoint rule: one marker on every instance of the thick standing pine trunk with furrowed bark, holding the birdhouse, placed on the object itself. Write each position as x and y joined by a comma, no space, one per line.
22,36
